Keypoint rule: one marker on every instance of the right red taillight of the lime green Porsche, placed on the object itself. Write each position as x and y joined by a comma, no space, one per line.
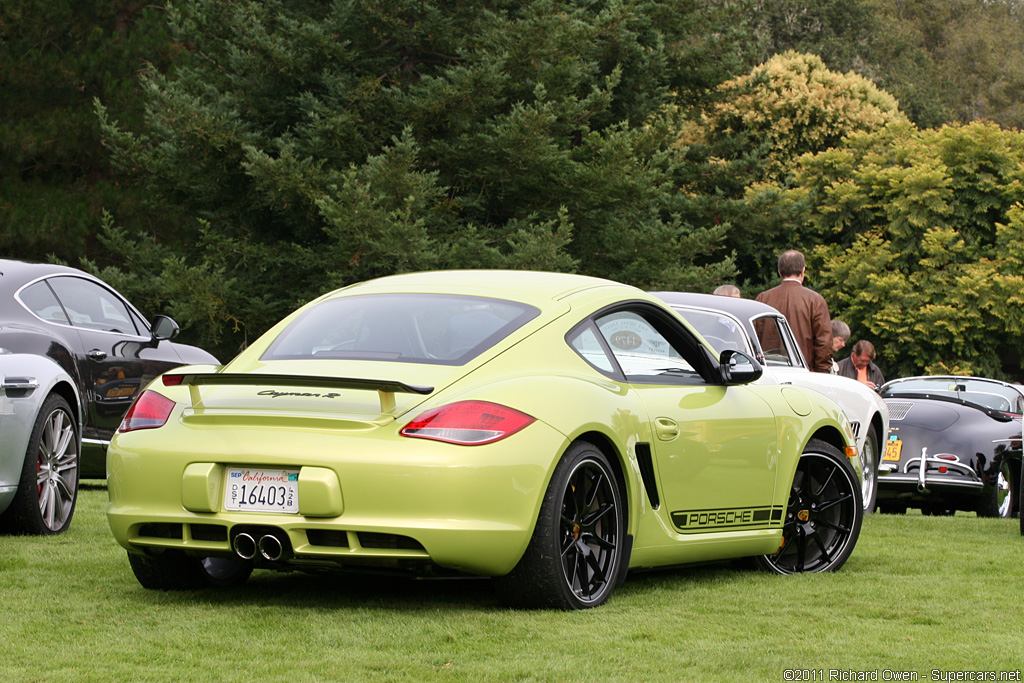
467,423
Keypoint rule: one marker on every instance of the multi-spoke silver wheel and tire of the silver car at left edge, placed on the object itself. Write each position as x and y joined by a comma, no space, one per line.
48,491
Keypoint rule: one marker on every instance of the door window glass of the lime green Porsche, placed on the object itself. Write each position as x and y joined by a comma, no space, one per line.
644,353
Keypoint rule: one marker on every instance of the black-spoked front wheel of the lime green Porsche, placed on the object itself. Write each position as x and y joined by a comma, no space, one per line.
824,515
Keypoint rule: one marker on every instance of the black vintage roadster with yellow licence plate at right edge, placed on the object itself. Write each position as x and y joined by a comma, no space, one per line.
954,444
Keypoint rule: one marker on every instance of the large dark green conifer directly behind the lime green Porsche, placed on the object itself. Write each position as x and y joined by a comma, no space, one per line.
304,146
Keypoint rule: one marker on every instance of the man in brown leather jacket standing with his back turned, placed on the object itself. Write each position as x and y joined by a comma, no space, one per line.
805,310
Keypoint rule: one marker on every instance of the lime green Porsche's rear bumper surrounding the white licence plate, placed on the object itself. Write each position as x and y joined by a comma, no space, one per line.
364,500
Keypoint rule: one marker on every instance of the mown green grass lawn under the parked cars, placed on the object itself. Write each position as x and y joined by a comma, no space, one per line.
919,594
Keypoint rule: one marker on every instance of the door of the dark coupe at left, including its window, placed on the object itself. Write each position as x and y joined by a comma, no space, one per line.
115,357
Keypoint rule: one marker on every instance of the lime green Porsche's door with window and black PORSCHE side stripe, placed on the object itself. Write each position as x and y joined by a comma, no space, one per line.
715,447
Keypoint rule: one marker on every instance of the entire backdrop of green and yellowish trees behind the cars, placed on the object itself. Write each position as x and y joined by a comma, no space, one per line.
226,161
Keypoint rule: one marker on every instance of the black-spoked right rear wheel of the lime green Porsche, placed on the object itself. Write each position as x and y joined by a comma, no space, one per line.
575,556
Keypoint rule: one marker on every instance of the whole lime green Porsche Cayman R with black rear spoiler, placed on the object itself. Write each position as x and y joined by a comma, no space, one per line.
549,431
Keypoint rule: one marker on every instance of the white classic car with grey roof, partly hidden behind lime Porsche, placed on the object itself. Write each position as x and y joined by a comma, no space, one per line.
761,331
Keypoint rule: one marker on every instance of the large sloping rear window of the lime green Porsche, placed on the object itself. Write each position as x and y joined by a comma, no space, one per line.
436,329
